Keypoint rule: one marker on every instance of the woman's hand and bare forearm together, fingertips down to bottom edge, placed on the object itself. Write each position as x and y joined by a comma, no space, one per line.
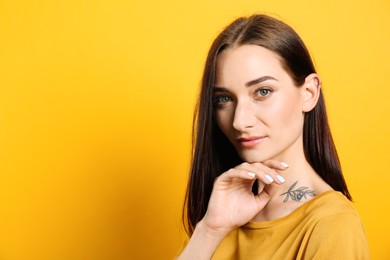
232,204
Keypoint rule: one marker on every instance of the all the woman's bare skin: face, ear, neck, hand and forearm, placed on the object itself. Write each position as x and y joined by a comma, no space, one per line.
261,111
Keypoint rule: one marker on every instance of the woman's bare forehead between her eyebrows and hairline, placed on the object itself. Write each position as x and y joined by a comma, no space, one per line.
248,62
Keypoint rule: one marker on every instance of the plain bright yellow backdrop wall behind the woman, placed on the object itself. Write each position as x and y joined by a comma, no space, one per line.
96,100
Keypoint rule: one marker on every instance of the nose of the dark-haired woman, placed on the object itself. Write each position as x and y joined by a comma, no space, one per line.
244,116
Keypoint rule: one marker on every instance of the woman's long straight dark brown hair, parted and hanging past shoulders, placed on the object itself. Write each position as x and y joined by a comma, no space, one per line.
212,153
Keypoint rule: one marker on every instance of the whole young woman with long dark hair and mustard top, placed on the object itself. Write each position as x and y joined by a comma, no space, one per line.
266,181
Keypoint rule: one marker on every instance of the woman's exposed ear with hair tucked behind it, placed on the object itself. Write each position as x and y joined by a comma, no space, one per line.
311,90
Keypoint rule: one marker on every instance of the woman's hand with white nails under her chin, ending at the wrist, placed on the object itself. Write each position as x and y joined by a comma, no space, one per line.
232,202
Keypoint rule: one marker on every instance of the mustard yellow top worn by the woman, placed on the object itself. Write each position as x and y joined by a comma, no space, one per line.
326,227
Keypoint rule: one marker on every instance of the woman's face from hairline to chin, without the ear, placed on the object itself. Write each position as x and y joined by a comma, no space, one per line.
257,105
